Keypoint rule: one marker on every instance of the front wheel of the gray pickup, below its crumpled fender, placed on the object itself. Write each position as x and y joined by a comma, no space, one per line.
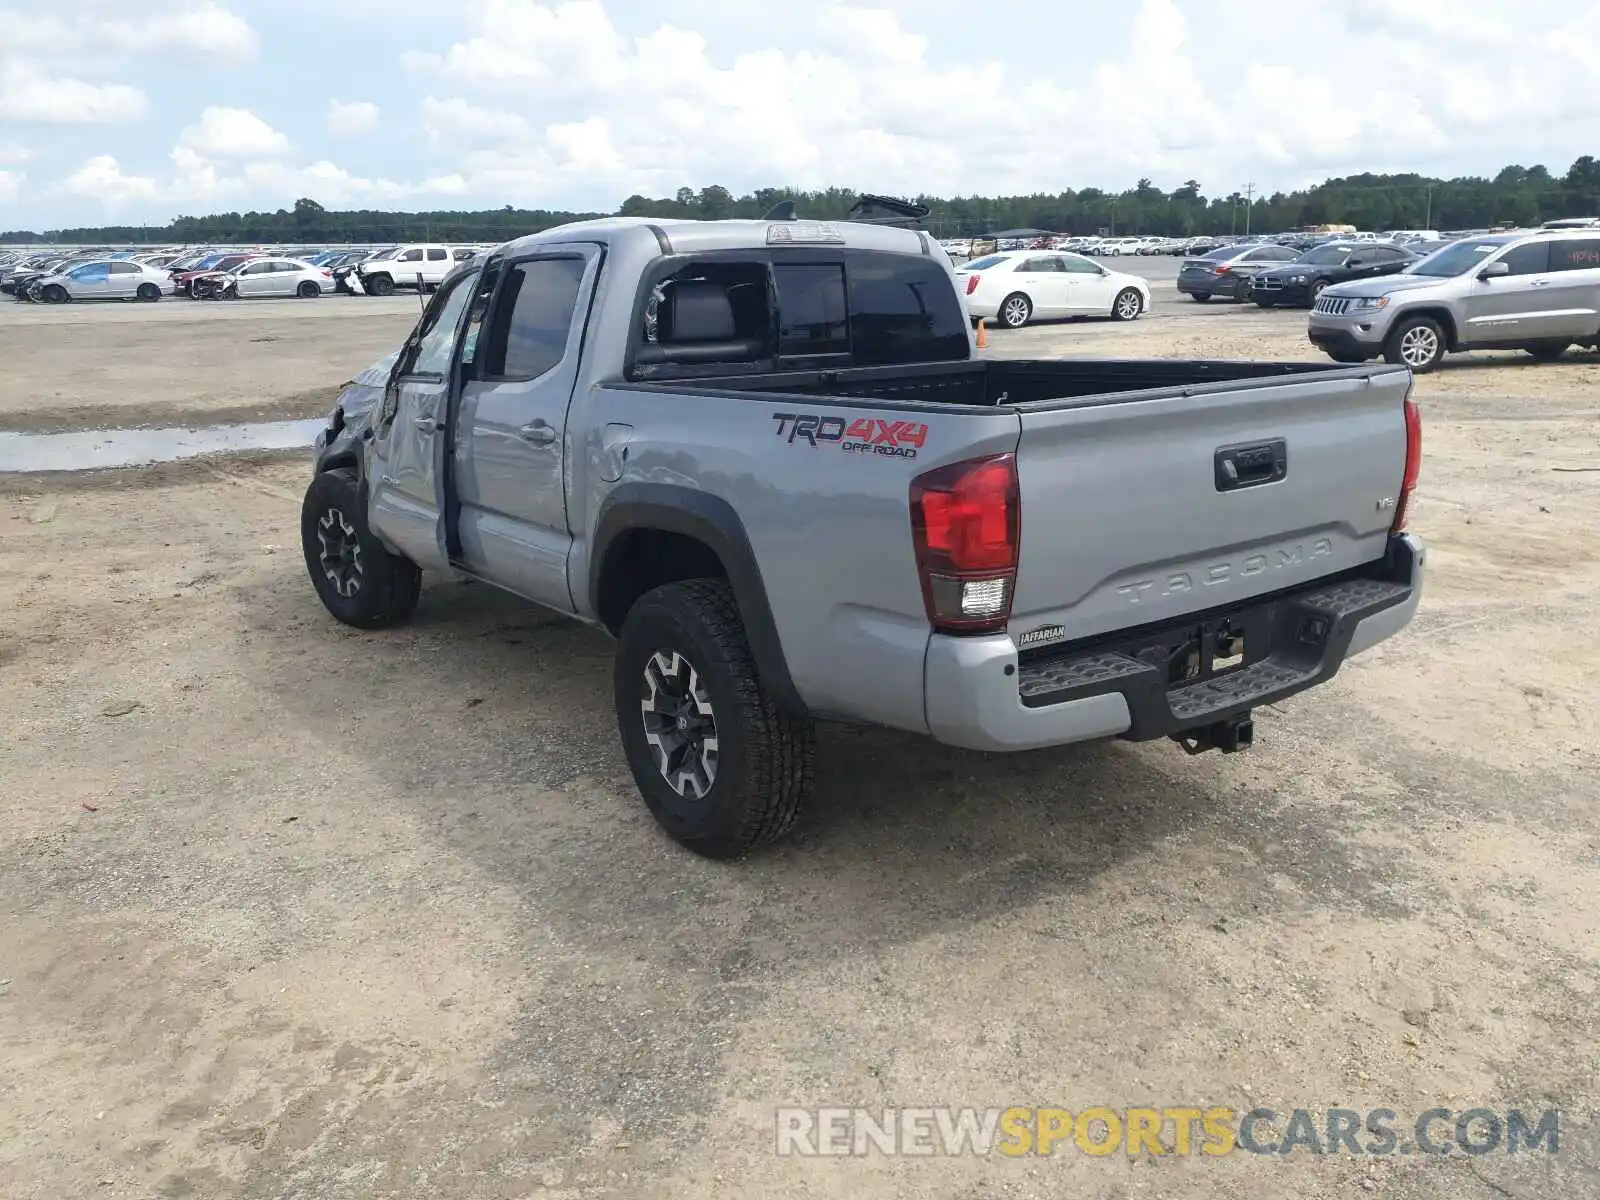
356,577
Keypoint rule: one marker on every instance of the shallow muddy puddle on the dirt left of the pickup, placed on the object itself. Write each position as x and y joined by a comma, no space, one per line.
100,449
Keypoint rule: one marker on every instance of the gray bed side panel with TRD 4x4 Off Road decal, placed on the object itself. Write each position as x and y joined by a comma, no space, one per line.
830,529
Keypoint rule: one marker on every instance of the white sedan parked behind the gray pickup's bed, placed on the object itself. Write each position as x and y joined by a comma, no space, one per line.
1020,286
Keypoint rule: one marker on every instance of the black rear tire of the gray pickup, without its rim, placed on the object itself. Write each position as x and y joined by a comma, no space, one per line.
764,754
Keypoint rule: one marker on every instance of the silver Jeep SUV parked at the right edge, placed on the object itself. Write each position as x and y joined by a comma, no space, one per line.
1537,292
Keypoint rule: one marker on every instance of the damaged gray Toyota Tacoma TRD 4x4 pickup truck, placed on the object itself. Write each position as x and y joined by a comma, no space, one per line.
767,458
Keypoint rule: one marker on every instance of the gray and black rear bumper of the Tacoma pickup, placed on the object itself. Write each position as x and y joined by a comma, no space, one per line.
980,695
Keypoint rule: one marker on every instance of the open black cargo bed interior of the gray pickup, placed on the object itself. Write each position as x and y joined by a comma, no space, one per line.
993,383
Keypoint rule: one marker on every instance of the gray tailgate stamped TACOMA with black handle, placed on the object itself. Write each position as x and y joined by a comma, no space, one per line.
1146,508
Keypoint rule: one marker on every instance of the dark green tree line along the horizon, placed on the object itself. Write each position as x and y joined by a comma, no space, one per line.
1518,196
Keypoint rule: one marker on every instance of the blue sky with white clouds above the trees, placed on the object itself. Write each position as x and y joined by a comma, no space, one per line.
137,111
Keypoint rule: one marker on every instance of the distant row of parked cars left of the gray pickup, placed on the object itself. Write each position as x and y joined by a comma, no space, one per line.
58,278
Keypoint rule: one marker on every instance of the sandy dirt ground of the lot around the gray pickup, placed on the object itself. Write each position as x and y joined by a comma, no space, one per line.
289,911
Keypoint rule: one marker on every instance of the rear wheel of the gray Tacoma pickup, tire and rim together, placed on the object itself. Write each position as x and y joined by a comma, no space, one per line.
721,767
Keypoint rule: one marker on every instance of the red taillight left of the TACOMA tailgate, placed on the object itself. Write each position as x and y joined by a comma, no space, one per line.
967,522
